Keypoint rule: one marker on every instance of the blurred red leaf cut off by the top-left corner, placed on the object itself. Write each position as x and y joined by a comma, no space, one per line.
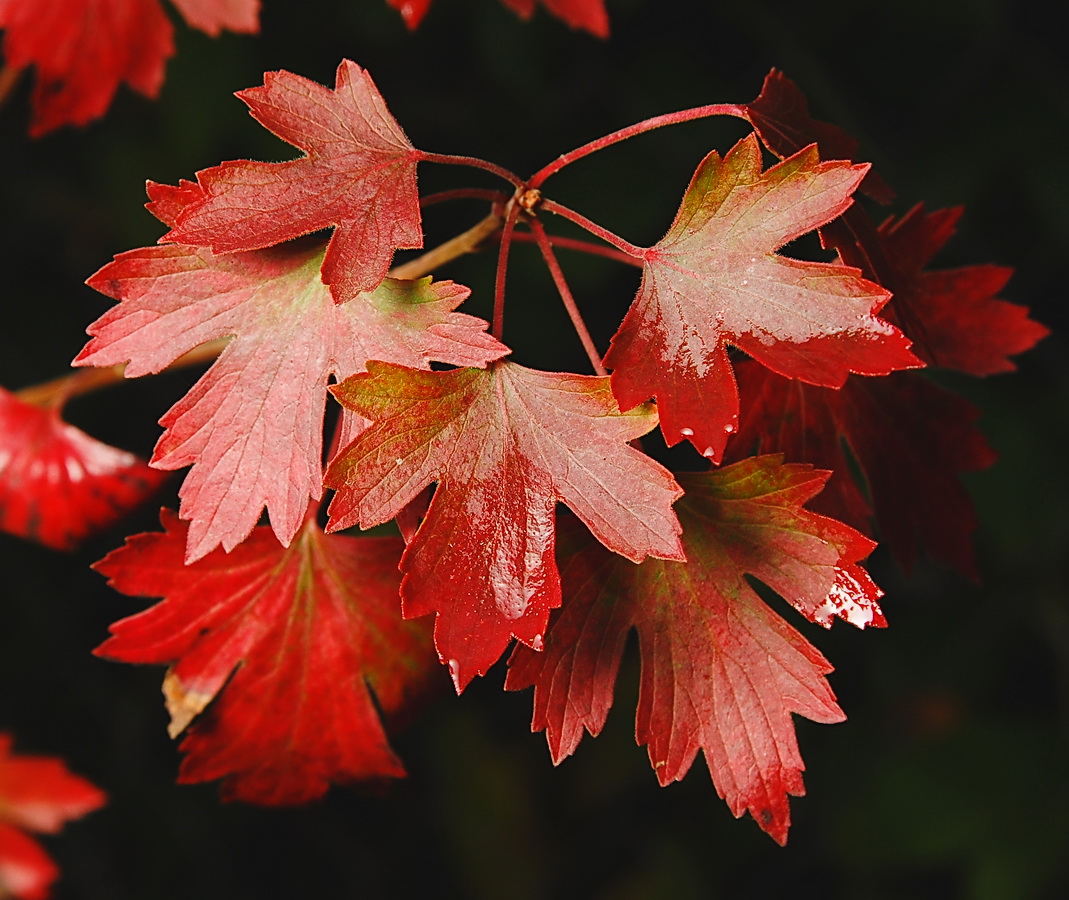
85,50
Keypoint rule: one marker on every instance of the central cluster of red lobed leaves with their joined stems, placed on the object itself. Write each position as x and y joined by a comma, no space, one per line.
287,641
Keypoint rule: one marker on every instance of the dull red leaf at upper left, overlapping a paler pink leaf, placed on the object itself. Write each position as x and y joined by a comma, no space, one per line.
359,175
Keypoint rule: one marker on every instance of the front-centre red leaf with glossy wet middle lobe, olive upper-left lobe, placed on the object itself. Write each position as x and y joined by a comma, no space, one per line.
505,445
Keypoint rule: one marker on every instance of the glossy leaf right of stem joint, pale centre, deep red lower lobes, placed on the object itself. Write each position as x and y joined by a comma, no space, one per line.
717,280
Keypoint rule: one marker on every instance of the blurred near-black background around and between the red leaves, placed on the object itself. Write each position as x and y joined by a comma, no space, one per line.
951,778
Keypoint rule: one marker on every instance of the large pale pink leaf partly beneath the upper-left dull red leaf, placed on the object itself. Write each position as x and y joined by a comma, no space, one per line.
259,410
